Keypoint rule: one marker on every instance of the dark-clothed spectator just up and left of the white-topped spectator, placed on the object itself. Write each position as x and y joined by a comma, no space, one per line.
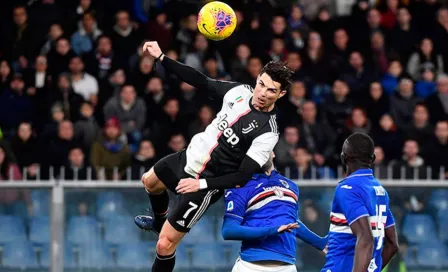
60,57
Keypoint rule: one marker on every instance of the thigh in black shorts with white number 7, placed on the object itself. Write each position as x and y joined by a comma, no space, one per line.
191,207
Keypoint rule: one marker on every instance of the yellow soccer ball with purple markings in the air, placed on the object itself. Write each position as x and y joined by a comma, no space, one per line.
216,21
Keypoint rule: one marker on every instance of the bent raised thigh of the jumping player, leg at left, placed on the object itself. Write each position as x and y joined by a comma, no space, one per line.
167,171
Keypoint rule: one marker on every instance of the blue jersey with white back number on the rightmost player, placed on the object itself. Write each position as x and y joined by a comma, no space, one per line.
358,195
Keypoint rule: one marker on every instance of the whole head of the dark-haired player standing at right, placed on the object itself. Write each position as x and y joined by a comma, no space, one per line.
357,152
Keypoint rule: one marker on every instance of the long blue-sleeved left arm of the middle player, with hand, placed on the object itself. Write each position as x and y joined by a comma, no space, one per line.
233,230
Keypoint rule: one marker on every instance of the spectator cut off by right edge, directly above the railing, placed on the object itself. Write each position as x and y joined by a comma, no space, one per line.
436,152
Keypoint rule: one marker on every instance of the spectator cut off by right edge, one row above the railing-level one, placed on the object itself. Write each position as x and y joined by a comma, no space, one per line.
438,102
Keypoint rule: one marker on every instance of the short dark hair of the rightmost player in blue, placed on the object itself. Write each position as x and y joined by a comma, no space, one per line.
360,147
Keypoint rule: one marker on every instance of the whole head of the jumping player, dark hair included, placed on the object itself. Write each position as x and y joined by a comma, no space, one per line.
272,83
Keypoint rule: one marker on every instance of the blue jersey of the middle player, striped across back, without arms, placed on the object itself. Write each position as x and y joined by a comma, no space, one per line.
266,201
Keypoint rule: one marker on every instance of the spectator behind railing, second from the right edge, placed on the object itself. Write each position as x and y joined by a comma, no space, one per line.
411,165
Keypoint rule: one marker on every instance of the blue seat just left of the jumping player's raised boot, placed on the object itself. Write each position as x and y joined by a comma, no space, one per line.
121,230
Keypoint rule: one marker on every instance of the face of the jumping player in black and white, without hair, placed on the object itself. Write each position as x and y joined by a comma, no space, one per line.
266,92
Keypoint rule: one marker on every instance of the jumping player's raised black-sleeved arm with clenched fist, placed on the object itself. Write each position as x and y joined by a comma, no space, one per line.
188,74
